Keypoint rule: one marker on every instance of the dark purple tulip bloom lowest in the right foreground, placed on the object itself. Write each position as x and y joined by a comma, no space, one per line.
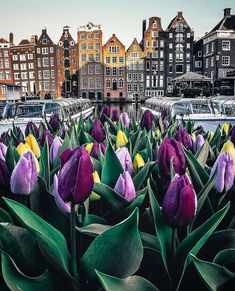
180,202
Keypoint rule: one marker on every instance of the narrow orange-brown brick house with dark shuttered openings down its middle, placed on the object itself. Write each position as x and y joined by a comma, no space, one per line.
66,64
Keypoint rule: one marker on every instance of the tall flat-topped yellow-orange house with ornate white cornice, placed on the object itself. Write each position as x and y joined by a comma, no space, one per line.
90,67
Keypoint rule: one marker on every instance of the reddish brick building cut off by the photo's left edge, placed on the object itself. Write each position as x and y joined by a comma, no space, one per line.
6,73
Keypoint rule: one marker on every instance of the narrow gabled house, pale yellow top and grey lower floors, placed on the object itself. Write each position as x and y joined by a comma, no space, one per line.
135,71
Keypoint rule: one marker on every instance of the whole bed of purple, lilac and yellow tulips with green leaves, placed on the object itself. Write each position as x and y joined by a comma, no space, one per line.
111,203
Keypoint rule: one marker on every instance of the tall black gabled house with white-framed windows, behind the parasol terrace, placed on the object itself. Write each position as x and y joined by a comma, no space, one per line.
180,38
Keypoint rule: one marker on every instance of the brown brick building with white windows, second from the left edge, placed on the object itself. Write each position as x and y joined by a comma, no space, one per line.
24,64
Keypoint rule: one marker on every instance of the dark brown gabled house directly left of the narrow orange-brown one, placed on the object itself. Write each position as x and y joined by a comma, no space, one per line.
46,65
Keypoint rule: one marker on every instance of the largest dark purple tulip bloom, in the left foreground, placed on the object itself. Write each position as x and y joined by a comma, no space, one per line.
75,179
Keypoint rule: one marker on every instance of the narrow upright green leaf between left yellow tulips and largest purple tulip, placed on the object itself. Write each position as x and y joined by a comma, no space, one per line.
44,164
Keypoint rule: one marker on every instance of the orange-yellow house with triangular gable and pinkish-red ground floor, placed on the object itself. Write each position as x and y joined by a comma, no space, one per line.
114,60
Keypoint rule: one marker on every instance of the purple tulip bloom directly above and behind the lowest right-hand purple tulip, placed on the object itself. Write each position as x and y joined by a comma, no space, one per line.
168,149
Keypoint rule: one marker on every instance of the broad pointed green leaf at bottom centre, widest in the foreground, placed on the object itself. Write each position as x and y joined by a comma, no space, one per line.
118,251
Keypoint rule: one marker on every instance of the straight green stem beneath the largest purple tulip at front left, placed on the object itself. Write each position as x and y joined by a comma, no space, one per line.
73,243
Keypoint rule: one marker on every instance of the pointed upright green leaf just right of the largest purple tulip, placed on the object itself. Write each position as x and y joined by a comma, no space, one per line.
112,167
